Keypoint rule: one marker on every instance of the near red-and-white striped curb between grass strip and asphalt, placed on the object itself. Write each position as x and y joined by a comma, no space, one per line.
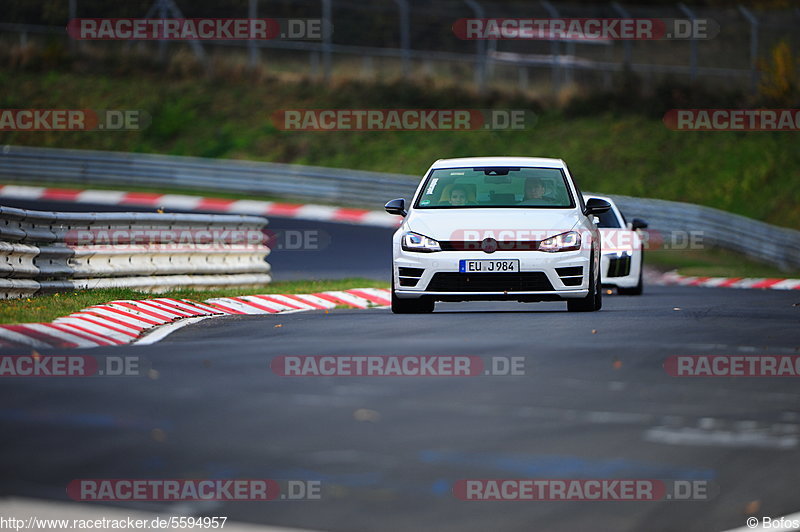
125,321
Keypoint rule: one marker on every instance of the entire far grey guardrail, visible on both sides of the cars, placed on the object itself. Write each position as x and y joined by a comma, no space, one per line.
768,243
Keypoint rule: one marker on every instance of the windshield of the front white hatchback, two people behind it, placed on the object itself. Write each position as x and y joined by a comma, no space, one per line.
495,187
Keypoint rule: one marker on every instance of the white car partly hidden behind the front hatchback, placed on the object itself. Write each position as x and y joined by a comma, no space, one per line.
622,259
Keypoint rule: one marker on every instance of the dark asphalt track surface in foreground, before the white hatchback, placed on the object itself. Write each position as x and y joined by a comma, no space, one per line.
594,402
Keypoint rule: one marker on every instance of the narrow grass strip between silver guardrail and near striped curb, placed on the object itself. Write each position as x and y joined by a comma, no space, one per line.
46,308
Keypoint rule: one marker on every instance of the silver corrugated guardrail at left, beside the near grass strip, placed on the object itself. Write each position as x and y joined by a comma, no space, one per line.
55,251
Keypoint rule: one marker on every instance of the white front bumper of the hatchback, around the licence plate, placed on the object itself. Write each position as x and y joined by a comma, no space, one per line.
542,276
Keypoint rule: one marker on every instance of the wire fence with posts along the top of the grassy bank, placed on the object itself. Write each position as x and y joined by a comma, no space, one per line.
411,38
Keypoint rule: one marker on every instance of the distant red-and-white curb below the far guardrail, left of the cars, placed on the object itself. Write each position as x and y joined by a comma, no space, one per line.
199,203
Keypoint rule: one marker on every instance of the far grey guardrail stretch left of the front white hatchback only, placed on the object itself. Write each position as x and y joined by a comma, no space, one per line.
349,187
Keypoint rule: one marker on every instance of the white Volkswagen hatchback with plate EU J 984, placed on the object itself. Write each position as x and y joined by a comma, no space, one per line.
496,228
